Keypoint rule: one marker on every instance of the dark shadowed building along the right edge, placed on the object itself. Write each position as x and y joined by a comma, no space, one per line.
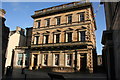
111,40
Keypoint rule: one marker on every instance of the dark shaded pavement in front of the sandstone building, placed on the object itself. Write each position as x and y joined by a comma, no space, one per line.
43,75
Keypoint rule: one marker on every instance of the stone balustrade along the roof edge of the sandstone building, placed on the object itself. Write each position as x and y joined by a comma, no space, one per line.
60,7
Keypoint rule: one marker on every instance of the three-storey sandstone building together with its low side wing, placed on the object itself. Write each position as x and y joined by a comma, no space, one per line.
62,39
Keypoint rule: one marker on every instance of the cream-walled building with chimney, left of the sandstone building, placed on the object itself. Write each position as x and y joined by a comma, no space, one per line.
16,38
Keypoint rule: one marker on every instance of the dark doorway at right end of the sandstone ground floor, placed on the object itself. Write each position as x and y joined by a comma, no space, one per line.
83,62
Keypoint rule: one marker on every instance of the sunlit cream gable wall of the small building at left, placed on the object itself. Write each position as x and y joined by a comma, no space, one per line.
14,40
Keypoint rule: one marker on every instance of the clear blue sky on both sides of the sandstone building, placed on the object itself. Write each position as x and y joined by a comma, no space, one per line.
19,14
